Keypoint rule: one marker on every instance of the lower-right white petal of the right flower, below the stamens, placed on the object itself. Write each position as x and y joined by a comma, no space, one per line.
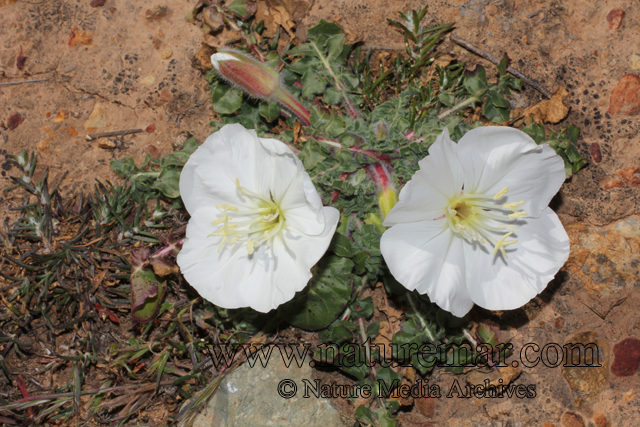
498,284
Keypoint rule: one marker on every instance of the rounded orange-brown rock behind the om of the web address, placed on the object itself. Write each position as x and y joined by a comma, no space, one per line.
580,368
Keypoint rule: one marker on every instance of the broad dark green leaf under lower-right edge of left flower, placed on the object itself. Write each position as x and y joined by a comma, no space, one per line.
324,298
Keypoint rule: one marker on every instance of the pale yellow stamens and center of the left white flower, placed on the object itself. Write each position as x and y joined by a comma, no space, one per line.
252,226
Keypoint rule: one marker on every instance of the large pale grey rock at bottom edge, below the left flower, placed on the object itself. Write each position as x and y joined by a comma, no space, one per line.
248,397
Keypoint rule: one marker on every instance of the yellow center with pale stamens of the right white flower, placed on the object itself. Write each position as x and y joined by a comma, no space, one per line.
473,216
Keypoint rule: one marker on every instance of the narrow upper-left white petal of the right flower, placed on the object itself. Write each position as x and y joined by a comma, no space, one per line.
427,195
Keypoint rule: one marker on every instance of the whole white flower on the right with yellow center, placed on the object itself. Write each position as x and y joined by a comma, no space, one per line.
473,225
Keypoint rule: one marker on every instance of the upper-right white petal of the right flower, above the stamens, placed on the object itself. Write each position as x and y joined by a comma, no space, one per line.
496,157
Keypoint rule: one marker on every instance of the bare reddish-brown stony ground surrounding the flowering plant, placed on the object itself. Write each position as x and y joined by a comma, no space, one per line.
115,65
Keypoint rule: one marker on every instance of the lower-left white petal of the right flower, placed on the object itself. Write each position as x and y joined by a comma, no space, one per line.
428,257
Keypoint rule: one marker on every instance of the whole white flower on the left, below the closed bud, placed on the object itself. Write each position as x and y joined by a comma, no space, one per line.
257,223
